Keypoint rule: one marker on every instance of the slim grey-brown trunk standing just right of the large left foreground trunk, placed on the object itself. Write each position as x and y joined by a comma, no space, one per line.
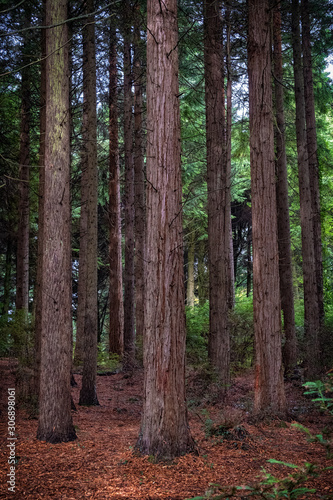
88,395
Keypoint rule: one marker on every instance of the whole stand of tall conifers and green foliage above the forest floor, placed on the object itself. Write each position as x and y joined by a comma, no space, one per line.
109,224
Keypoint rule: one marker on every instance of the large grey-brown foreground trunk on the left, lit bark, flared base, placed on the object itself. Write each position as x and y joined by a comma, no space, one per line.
55,420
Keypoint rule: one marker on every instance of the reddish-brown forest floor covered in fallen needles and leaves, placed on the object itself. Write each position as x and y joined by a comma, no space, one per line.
101,463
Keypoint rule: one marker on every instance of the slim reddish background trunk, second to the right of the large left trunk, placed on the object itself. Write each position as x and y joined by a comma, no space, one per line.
116,332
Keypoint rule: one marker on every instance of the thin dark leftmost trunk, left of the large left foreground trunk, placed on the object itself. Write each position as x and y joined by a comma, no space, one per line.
22,269
